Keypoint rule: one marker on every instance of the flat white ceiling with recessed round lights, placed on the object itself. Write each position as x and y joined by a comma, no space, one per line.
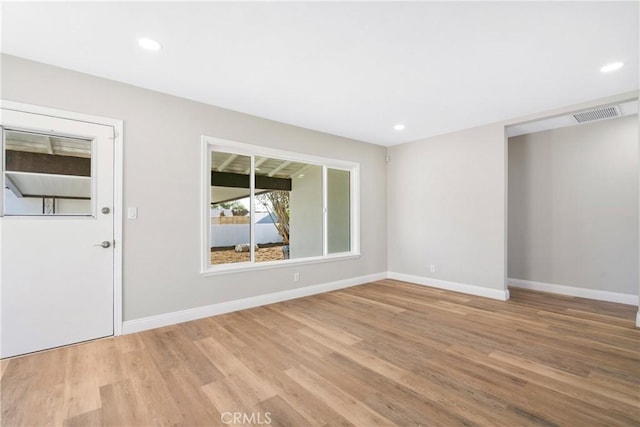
349,68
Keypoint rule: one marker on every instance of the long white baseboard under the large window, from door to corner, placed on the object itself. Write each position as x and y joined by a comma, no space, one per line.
160,320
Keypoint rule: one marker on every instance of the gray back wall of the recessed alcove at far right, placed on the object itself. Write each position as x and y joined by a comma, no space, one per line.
573,206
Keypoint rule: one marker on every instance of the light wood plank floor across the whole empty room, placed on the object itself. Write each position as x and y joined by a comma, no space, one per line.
385,353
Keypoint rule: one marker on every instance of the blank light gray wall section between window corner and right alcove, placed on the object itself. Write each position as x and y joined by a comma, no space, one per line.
447,207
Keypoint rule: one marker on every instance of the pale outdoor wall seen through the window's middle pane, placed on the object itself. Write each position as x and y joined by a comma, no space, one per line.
305,218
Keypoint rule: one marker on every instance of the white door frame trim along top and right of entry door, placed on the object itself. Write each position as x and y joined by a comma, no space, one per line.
118,187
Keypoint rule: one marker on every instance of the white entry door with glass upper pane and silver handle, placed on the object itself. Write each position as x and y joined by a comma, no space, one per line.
56,232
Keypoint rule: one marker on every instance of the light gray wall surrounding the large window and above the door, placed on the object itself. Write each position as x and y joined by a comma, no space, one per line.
162,157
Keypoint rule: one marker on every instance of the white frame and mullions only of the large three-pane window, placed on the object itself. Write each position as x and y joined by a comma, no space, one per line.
210,144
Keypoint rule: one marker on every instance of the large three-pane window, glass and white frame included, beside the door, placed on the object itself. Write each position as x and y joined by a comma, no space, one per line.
265,207
